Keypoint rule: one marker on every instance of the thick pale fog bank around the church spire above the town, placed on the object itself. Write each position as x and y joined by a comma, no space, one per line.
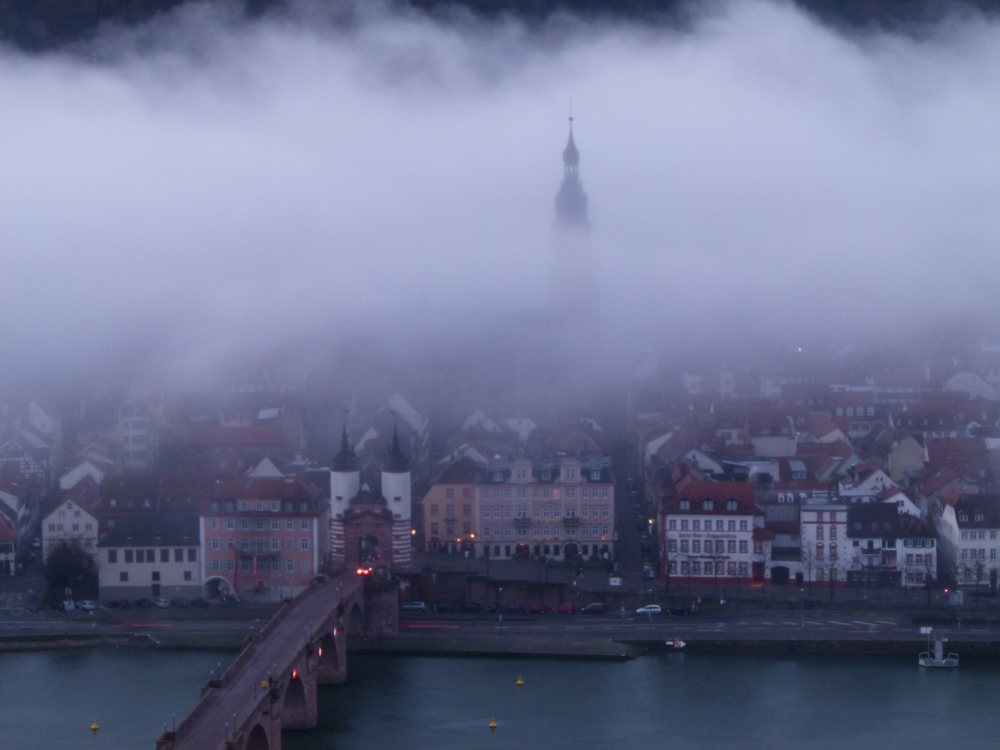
206,185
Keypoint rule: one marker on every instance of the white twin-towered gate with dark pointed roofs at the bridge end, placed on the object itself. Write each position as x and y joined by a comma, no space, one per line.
370,529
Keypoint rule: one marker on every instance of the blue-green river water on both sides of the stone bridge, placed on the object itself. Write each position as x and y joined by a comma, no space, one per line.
697,701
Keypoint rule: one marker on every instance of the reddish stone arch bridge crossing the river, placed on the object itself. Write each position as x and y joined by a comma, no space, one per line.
272,684
